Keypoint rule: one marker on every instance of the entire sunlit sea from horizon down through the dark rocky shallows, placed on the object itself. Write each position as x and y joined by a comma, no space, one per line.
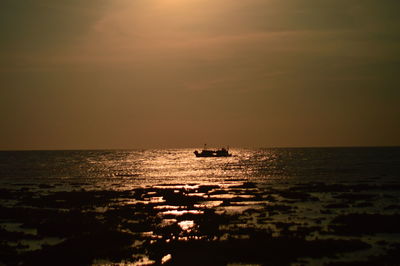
264,206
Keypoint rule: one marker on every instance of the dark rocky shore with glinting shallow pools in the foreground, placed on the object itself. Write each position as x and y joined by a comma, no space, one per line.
233,222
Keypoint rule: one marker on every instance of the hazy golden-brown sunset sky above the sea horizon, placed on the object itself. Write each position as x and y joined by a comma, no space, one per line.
116,74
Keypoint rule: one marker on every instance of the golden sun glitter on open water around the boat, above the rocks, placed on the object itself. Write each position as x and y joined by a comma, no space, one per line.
180,166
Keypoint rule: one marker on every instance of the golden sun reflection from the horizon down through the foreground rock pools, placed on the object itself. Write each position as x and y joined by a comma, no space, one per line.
180,171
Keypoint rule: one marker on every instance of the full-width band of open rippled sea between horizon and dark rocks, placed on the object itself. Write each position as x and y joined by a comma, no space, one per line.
126,169
